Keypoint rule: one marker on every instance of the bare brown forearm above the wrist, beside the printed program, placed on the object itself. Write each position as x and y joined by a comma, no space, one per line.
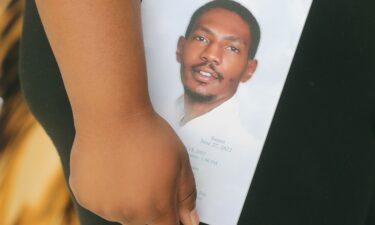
98,47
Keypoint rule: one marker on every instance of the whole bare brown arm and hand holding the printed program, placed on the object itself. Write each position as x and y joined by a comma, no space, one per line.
142,170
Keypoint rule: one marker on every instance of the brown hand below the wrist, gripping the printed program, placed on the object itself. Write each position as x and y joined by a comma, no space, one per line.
137,172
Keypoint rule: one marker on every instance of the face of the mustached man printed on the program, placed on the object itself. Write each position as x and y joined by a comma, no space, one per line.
214,57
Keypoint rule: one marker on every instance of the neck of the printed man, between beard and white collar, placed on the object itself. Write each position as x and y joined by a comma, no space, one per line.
194,109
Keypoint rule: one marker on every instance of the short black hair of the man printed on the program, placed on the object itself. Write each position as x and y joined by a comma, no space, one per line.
237,8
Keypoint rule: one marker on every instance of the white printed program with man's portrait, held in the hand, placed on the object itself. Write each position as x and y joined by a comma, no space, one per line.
216,70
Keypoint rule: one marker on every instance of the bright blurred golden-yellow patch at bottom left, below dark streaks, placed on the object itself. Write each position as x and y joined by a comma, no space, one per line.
33,190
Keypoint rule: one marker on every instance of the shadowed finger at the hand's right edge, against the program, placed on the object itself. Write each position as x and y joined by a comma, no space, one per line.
187,195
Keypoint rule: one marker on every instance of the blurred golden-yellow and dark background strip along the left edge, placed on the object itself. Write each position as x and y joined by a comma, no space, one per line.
32,188
